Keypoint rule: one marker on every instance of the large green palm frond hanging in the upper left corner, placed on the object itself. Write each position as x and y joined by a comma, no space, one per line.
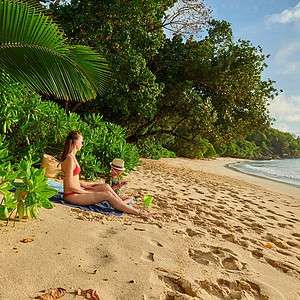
31,45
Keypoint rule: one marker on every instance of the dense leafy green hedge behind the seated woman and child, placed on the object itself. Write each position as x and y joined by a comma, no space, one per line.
33,127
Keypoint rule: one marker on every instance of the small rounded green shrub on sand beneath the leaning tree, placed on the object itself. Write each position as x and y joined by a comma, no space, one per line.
152,148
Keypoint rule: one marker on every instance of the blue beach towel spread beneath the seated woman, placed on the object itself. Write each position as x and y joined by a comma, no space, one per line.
103,207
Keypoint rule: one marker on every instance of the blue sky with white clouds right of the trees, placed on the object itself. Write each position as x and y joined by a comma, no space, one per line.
275,26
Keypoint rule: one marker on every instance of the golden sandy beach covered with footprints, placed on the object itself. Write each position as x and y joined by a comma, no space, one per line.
215,234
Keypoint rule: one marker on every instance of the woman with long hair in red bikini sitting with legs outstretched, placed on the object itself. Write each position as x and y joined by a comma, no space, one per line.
77,193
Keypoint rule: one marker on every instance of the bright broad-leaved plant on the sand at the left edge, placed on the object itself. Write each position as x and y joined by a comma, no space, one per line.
32,190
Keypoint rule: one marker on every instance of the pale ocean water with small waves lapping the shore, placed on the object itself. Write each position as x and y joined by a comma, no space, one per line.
282,170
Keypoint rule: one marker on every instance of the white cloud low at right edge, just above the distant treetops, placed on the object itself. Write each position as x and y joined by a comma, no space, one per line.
285,109
